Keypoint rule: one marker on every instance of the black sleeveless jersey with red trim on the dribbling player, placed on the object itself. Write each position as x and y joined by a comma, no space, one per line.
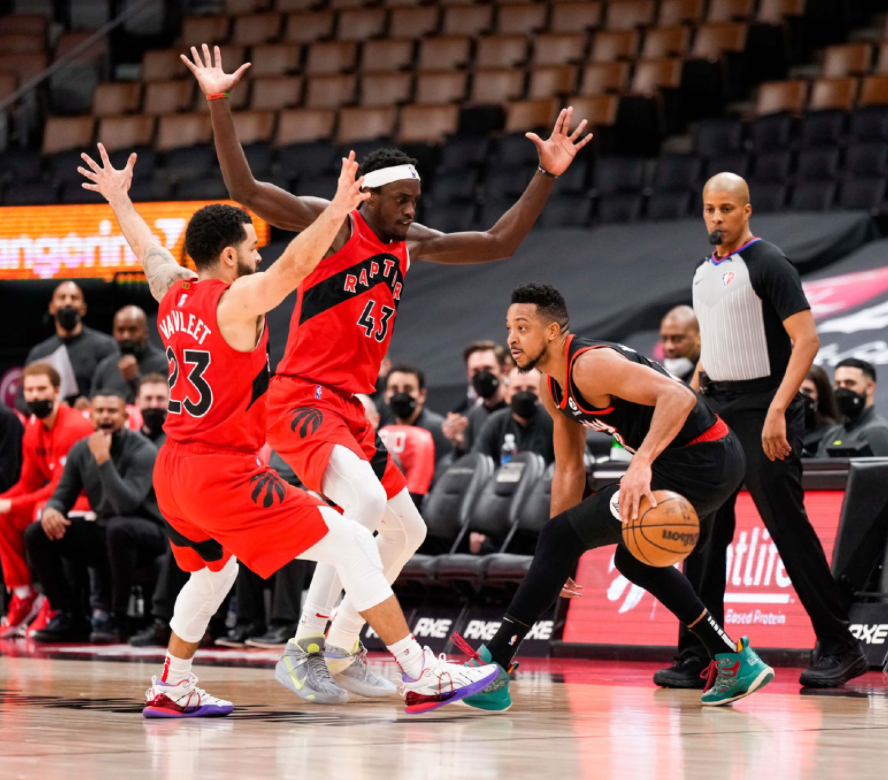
626,421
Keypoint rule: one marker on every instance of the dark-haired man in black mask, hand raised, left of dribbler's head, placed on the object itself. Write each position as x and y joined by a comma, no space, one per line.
486,368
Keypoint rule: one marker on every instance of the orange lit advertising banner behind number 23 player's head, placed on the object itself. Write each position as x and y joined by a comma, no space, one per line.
60,242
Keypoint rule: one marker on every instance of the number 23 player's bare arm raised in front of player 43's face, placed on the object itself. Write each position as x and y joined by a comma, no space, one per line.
254,295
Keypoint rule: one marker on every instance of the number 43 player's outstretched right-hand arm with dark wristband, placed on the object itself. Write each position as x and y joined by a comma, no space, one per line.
501,241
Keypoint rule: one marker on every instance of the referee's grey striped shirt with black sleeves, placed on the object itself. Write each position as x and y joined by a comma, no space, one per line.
741,302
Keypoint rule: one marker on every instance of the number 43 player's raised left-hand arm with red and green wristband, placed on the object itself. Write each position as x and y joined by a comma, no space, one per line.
273,204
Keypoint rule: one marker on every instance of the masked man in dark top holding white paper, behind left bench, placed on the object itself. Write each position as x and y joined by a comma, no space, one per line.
75,350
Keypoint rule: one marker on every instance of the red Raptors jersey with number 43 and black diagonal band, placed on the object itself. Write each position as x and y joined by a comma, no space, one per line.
345,313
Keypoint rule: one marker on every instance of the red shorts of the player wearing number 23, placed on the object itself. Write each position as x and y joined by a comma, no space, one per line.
218,503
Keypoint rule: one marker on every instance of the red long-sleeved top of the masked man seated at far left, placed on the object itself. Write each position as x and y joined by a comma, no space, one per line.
43,458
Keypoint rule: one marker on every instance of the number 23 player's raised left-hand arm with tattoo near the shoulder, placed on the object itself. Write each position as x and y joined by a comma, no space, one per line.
161,268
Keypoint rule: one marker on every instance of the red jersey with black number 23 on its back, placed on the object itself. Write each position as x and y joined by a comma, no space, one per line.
217,394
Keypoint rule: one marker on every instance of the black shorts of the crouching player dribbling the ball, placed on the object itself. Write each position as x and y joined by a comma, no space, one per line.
707,474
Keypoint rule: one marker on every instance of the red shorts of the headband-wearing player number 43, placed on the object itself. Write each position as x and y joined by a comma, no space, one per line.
305,422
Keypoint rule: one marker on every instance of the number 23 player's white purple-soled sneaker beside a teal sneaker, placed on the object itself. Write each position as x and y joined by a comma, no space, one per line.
443,683
